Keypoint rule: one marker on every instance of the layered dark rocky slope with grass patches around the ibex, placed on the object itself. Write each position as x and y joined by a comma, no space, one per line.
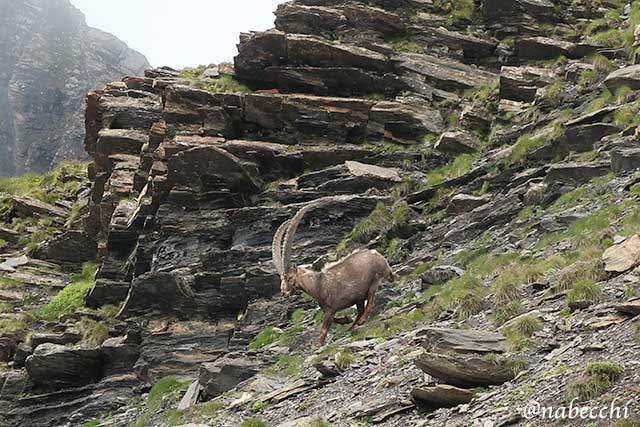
488,149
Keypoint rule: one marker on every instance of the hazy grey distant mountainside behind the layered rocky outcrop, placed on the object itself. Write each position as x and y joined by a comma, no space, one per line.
49,60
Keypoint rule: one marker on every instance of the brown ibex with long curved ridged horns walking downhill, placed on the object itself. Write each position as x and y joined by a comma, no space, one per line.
353,280
